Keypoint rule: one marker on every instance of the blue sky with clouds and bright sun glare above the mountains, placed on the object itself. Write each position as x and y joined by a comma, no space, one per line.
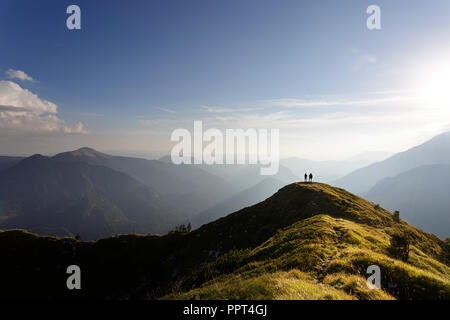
137,70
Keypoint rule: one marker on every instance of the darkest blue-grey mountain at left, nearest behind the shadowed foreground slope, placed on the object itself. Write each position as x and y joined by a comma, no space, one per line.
50,196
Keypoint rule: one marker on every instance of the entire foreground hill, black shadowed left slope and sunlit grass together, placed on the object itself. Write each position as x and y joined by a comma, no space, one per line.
307,241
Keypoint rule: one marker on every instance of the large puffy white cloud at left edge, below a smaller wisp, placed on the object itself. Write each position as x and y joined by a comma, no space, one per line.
22,111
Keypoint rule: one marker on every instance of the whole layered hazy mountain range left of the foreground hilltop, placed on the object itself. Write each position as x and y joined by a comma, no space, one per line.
94,194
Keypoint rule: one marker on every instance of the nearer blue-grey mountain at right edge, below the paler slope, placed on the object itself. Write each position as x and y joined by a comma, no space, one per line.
421,196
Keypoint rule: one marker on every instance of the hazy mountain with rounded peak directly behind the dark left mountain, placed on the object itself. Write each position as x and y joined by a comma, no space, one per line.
186,186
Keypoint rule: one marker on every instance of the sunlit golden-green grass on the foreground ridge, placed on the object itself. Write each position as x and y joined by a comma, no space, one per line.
330,252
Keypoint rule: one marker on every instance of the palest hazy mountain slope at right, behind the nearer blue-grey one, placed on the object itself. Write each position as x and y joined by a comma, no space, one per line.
434,151
